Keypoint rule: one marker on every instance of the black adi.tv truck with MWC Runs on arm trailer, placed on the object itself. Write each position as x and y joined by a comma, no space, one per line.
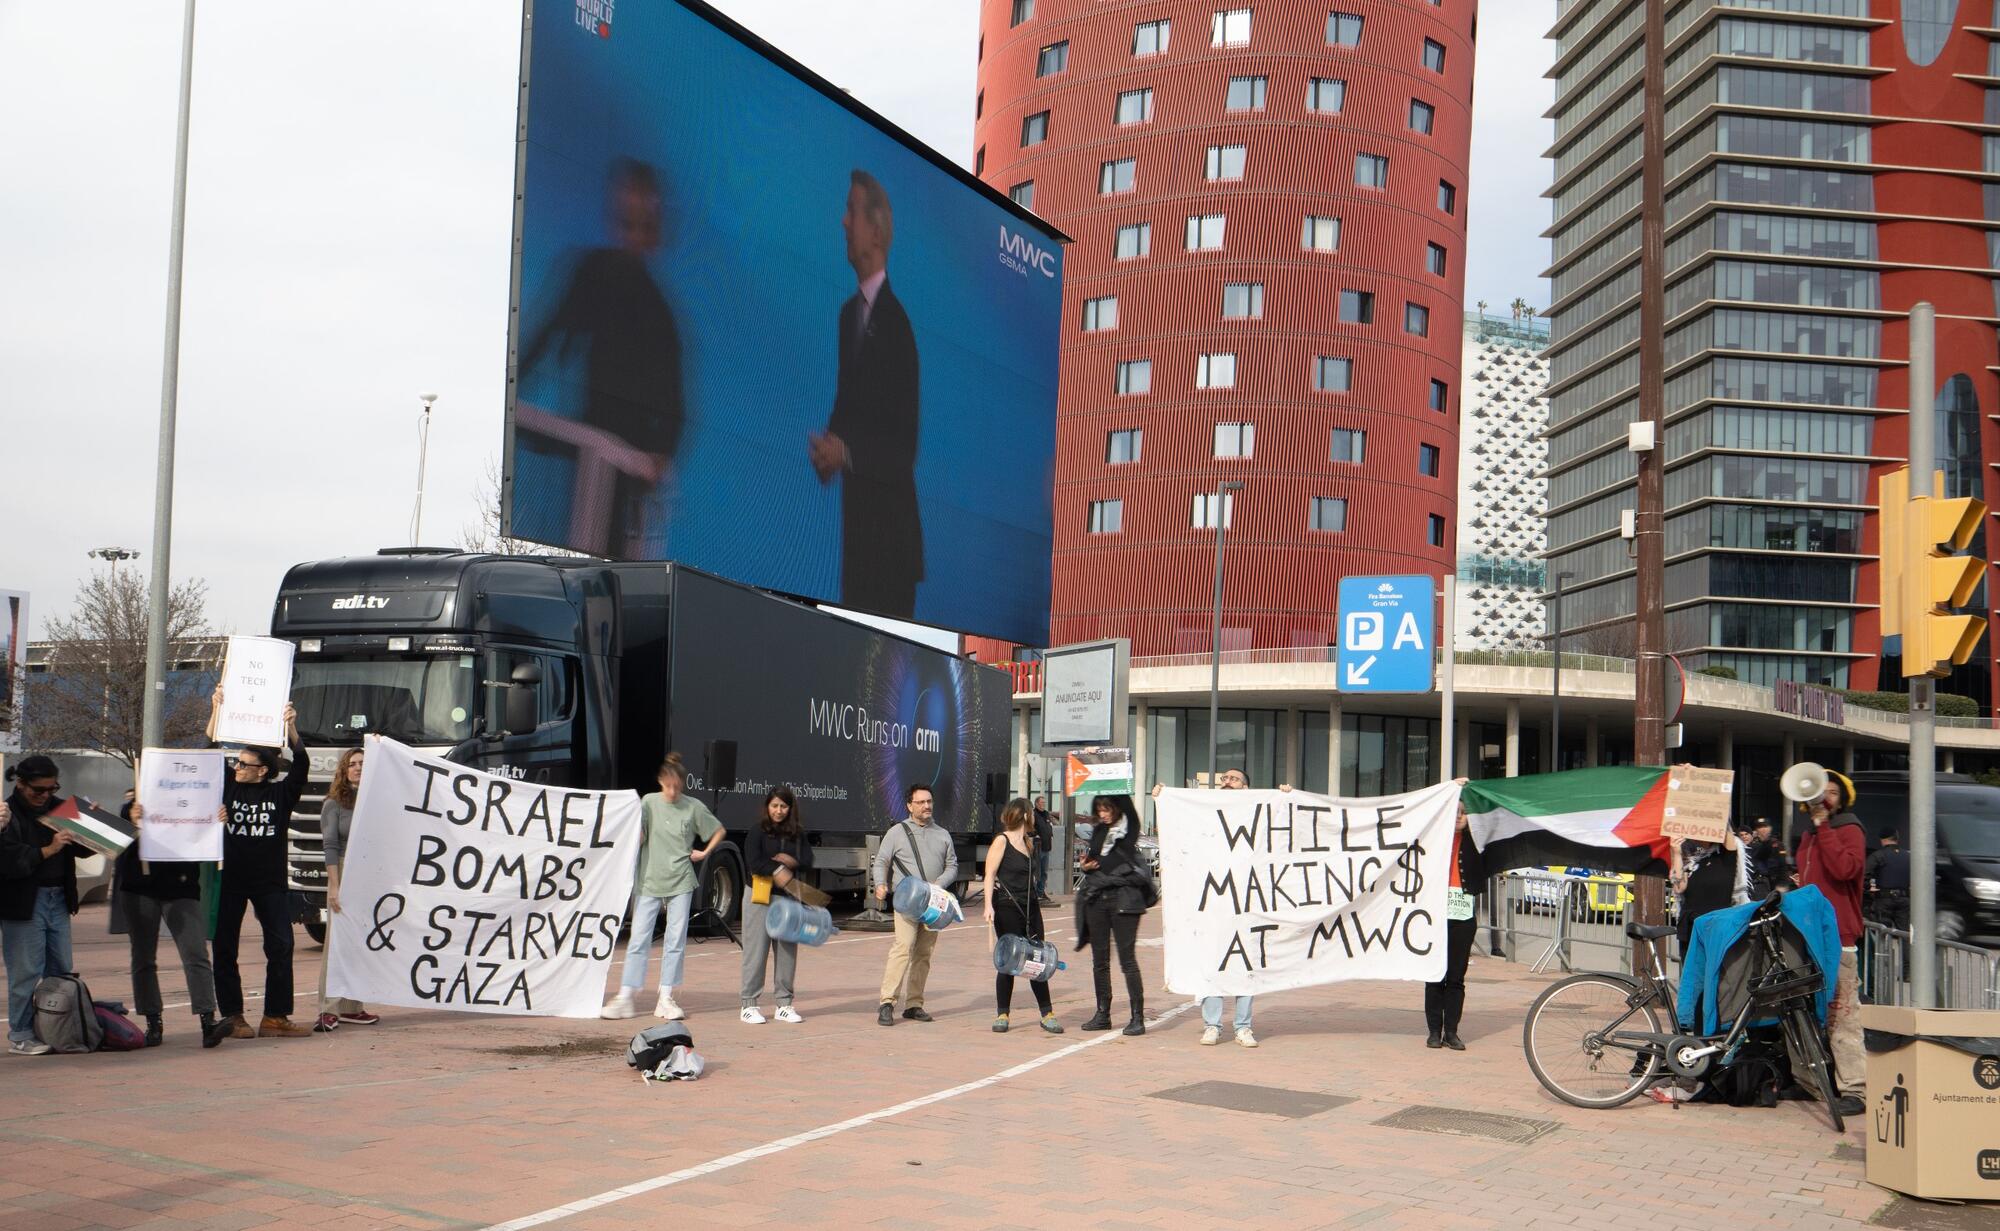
587,672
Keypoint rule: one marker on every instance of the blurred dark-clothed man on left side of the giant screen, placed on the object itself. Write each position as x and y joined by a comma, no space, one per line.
633,411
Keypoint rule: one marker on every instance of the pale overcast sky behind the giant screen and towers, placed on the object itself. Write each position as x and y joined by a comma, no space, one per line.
347,251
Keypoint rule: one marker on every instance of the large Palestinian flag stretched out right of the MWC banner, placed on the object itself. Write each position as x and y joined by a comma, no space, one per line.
1607,820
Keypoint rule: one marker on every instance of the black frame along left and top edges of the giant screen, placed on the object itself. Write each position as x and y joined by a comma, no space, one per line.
777,59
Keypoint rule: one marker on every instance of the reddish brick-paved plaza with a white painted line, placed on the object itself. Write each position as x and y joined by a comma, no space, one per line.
437,1120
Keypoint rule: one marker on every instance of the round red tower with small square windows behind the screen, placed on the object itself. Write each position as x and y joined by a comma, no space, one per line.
1265,287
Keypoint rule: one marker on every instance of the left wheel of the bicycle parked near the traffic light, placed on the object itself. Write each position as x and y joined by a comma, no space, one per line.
1571,1046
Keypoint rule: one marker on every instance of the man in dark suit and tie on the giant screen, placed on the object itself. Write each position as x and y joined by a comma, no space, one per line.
871,437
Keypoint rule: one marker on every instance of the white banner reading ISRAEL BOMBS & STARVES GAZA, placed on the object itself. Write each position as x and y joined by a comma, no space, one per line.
473,892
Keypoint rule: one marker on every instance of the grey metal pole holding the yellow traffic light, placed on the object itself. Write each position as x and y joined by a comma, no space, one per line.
1923,688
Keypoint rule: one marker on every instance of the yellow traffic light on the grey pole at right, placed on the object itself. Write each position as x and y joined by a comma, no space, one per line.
1933,577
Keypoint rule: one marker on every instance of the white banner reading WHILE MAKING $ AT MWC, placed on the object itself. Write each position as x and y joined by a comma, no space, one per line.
1271,890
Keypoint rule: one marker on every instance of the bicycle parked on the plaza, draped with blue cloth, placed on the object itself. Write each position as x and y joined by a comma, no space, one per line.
1579,1046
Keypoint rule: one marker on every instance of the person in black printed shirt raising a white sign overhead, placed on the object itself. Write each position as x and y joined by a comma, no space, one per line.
255,876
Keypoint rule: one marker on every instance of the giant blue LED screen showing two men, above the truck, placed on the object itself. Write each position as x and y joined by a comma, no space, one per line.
771,337
